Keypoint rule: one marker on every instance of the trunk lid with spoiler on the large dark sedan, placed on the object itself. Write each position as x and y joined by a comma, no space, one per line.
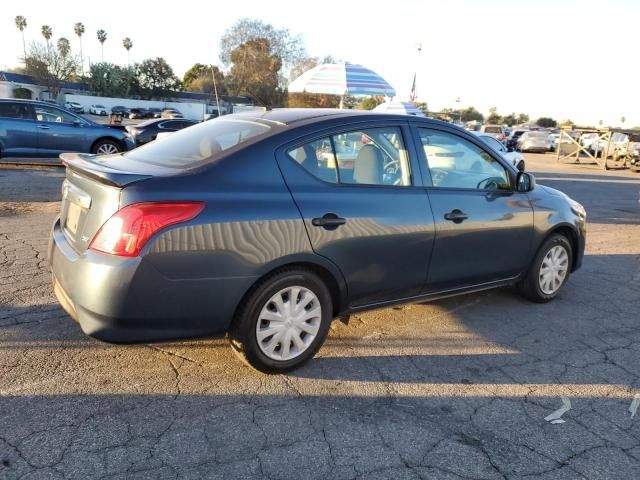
91,192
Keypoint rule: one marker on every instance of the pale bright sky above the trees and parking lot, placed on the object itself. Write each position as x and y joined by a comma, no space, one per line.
567,59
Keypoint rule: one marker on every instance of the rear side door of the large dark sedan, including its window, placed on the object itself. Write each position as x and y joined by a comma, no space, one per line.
362,208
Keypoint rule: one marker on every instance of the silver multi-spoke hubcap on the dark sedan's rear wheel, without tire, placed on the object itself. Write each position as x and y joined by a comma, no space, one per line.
288,323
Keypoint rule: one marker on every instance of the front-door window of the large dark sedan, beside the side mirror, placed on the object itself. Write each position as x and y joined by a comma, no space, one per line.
457,163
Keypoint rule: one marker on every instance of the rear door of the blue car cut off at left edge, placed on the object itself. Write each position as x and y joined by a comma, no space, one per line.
18,132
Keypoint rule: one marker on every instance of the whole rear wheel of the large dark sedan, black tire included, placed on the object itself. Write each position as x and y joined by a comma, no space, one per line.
261,311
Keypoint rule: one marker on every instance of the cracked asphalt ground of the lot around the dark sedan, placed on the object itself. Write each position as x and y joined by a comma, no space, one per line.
455,389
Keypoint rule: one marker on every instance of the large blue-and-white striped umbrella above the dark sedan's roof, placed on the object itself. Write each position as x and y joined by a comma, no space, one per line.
341,79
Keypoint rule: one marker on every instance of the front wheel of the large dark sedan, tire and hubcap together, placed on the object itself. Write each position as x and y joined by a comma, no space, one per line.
534,286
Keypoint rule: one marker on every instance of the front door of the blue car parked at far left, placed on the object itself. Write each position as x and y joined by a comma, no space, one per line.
60,131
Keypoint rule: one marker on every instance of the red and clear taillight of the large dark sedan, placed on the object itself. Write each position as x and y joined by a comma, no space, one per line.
129,229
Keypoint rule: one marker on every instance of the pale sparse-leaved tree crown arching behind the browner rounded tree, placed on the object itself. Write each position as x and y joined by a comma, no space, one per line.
288,48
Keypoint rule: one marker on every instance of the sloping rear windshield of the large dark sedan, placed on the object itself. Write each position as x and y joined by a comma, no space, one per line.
198,144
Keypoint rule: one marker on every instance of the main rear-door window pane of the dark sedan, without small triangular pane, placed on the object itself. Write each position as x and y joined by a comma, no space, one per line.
373,156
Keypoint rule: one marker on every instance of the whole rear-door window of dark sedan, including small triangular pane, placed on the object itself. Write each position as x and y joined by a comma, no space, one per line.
373,156
